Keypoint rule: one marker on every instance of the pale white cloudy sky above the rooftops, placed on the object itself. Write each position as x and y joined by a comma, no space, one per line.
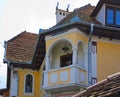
17,16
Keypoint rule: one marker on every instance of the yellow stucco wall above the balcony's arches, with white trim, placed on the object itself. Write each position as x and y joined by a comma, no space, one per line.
73,35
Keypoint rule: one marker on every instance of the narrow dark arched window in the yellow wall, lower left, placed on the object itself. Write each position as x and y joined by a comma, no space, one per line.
28,83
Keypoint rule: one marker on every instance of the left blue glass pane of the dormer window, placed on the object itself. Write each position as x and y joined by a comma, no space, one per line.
110,16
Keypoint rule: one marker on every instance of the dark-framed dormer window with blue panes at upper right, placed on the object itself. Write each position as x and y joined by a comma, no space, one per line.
112,16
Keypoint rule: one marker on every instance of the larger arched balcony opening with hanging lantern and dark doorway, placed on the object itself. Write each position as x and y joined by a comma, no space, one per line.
61,54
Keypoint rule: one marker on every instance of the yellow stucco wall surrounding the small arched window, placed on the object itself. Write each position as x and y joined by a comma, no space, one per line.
37,83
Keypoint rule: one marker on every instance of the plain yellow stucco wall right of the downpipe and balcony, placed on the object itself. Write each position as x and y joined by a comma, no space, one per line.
108,59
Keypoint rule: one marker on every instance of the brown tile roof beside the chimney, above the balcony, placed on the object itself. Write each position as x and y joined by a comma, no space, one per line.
83,13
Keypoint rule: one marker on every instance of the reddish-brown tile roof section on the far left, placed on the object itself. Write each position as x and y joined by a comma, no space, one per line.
21,48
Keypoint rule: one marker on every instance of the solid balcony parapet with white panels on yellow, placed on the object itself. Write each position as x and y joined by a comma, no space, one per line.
65,76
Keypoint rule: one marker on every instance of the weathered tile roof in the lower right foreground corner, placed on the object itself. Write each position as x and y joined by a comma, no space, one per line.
109,87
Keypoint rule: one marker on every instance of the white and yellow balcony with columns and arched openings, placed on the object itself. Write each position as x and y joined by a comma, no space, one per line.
65,67
